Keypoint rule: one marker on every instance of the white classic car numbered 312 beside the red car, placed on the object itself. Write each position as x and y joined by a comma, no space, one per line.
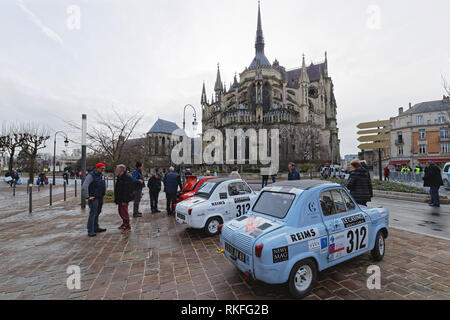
215,202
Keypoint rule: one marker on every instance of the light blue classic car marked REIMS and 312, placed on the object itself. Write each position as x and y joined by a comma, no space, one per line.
296,229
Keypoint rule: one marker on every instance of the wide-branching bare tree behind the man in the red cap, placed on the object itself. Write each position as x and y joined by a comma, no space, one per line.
110,134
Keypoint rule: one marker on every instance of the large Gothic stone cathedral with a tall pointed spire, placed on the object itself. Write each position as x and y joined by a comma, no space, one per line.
299,102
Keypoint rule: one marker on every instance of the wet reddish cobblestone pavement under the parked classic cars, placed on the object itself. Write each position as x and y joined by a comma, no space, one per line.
160,259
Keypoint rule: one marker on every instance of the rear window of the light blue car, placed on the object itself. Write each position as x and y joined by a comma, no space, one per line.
274,204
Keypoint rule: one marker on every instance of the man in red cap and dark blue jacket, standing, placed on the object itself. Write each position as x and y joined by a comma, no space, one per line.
94,188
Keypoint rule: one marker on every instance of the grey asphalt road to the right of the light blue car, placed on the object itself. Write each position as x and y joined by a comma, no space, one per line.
411,216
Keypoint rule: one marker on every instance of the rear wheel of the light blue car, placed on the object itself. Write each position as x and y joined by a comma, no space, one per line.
302,279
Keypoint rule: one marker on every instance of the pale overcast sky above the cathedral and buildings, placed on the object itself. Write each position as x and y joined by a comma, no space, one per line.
153,55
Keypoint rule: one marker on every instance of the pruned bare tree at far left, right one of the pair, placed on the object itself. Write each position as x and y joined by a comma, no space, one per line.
33,138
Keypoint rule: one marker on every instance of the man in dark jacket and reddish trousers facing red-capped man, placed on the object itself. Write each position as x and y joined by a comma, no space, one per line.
123,194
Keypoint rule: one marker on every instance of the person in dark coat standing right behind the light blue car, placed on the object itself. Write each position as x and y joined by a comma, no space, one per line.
359,183
